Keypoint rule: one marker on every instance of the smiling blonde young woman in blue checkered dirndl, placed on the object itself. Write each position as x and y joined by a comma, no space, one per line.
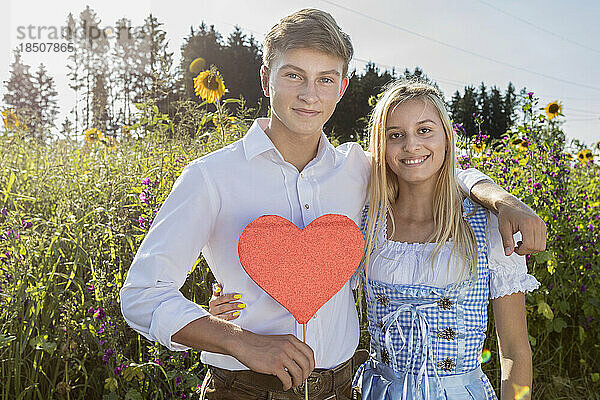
432,262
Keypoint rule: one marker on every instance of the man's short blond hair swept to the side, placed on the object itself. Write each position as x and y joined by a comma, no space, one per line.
308,28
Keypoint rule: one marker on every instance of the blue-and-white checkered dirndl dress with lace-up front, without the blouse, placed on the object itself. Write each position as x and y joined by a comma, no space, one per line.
426,341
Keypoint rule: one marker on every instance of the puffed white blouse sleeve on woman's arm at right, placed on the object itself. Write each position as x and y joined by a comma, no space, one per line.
508,274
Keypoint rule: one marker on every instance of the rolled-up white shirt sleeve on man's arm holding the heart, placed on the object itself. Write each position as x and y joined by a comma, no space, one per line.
151,301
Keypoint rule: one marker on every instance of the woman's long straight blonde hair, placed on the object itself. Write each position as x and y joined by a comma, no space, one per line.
383,192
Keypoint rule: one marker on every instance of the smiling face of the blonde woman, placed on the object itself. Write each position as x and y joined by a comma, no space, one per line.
415,141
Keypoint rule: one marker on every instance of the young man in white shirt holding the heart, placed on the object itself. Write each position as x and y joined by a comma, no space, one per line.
284,165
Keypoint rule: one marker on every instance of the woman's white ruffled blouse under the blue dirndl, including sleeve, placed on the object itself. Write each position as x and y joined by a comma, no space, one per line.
408,263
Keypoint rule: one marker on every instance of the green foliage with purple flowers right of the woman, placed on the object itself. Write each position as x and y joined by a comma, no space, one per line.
534,163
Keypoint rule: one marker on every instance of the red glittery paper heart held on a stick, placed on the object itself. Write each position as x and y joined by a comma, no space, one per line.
301,269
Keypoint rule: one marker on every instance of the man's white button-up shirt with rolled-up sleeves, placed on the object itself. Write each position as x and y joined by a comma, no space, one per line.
209,206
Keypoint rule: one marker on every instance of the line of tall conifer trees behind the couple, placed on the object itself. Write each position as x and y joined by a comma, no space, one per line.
108,77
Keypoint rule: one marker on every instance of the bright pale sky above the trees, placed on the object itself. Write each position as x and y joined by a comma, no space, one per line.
549,46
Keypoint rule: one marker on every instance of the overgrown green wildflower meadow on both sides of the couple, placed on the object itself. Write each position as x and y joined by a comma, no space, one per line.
73,213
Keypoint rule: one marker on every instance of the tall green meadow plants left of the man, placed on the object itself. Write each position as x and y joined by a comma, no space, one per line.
72,217
